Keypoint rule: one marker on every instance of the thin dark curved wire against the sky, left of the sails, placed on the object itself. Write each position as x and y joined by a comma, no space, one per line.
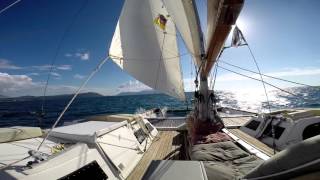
57,52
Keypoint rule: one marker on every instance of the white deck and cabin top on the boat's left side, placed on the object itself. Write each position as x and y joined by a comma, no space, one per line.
112,145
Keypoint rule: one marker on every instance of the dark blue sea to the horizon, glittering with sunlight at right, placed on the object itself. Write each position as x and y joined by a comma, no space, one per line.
22,112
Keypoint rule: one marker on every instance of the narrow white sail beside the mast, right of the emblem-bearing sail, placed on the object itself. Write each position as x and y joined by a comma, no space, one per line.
185,17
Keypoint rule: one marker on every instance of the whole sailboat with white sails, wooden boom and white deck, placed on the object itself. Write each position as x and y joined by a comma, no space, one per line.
209,143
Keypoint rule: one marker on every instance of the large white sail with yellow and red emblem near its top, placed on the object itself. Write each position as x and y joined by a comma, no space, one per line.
145,45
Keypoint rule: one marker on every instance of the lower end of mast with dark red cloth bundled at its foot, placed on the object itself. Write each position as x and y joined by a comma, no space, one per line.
207,119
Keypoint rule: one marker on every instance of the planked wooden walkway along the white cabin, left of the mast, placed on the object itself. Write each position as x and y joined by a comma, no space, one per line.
161,148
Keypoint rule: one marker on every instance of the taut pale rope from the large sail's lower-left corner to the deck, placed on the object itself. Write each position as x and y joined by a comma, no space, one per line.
73,98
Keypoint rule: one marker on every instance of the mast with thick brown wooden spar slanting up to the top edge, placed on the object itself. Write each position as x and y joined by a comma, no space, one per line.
222,14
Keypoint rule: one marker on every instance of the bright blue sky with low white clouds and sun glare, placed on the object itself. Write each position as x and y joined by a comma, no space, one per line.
283,35
